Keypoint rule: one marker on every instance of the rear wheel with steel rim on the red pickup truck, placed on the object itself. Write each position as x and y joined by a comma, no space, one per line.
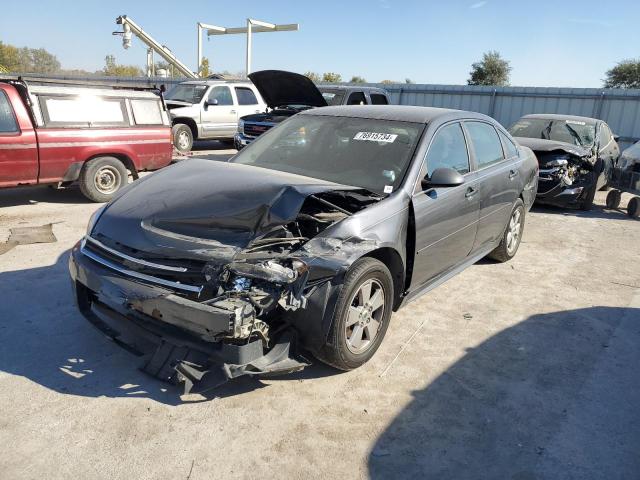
102,177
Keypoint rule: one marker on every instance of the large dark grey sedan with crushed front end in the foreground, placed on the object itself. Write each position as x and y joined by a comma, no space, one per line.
306,240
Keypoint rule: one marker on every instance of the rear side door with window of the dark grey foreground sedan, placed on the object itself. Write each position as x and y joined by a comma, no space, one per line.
497,177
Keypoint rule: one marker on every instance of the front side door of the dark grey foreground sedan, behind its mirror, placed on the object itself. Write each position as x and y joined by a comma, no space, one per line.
445,217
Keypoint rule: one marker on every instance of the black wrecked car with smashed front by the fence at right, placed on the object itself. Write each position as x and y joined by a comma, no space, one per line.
576,154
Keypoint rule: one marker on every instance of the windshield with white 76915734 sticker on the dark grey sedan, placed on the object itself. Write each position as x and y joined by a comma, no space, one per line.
361,152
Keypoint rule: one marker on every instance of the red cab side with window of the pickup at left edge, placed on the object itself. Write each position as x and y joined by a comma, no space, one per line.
18,143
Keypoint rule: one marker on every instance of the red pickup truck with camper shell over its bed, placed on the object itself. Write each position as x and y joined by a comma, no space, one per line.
58,133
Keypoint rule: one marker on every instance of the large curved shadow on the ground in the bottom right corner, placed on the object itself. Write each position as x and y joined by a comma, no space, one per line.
555,396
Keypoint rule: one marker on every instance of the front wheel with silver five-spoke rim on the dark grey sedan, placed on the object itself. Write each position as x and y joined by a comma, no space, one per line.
361,317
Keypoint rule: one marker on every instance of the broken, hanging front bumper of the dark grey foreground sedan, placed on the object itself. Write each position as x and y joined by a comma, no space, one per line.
176,337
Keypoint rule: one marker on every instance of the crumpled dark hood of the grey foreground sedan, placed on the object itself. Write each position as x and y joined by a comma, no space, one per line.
205,207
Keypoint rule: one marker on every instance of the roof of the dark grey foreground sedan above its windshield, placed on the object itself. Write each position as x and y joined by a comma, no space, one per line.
400,113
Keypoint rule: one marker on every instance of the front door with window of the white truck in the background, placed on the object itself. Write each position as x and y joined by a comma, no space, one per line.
219,113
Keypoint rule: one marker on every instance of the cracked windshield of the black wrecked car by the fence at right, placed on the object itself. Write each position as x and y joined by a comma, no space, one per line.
568,131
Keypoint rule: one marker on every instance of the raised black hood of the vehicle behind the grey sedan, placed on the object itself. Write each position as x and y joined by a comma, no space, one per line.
280,88
